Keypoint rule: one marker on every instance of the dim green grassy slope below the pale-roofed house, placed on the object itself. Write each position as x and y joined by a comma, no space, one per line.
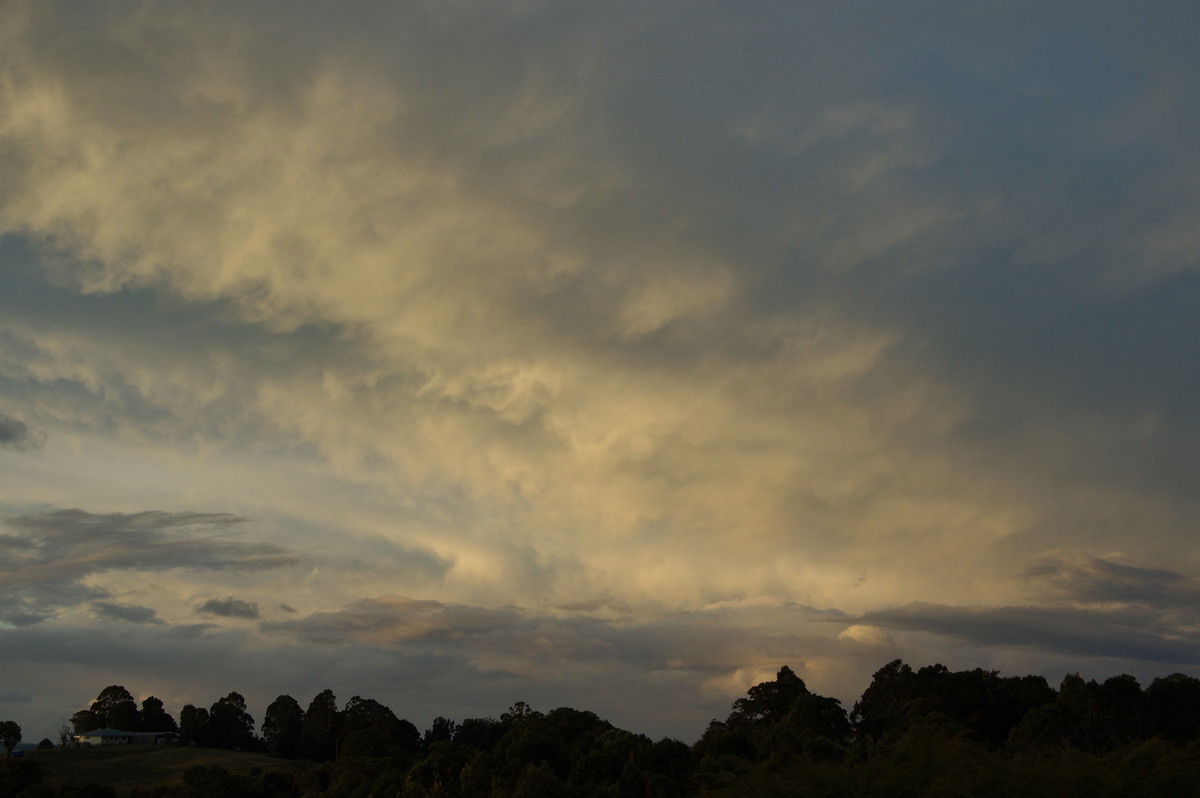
131,766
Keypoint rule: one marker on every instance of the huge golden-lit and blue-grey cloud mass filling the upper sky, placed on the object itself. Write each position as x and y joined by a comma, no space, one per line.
761,319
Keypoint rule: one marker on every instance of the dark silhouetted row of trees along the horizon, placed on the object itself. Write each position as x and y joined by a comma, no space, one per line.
914,733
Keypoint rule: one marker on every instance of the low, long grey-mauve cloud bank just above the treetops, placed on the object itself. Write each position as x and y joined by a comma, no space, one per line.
469,662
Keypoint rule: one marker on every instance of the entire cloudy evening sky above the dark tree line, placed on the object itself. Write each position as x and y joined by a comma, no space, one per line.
595,355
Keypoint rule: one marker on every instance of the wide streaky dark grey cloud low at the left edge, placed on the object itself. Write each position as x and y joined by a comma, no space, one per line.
46,559
